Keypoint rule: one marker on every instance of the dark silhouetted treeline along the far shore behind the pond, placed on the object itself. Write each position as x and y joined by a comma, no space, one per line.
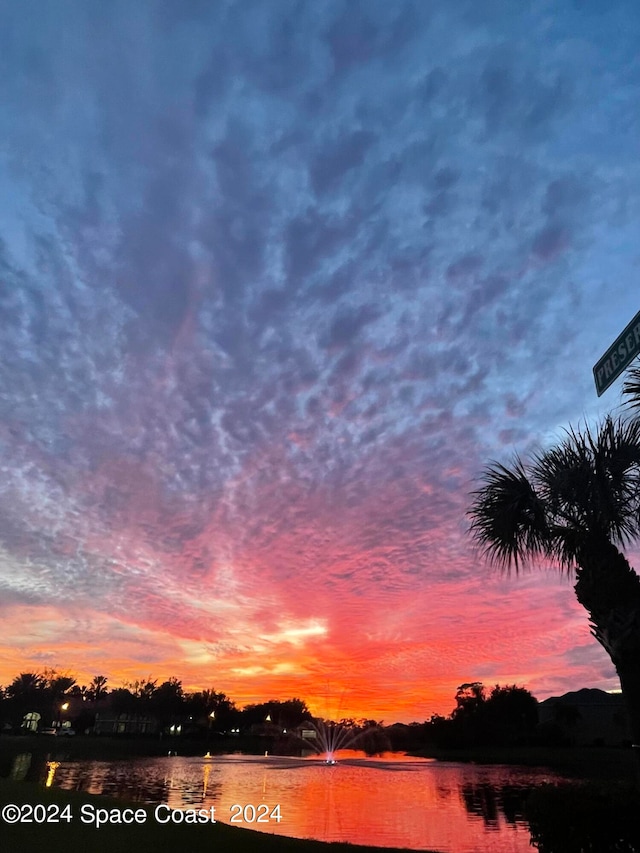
33,701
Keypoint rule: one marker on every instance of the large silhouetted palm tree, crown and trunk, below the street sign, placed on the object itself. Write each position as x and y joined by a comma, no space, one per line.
577,504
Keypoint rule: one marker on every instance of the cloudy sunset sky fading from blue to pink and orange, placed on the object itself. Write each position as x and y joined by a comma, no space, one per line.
277,280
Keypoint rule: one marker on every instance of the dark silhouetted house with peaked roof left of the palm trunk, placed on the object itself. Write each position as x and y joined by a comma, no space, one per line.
588,717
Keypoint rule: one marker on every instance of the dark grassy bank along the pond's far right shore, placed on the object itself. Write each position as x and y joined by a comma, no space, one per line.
605,763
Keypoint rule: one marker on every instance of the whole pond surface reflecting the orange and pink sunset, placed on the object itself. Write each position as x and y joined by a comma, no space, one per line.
392,801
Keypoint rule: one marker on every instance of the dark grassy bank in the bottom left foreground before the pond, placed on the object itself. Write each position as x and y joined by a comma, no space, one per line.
148,837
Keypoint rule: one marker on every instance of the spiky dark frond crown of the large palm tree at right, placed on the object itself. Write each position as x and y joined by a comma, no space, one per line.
571,499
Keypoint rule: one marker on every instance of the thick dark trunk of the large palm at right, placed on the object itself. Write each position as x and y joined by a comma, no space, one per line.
609,589
